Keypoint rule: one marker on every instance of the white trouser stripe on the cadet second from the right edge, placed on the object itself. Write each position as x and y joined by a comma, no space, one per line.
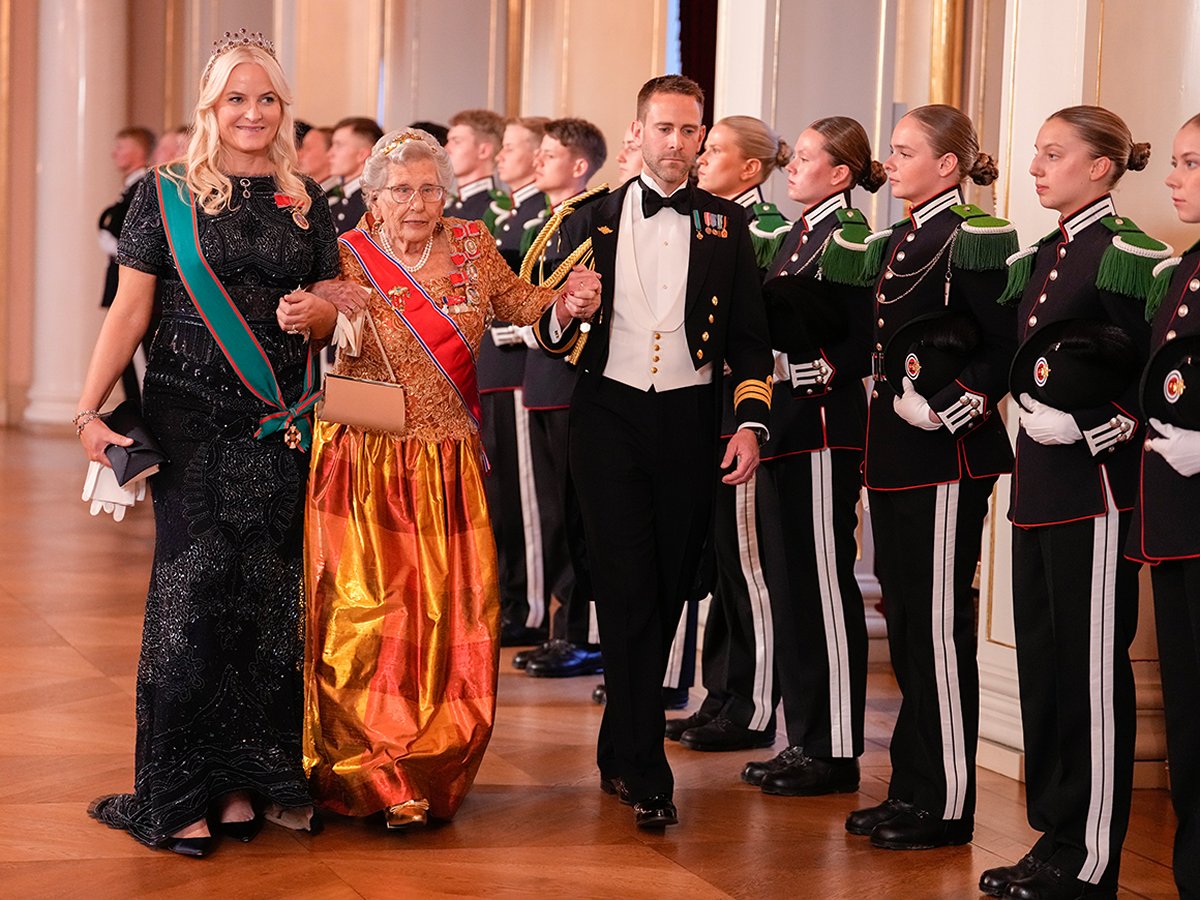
1102,743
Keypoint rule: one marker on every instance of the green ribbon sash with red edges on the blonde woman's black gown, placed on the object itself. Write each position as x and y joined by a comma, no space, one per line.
226,322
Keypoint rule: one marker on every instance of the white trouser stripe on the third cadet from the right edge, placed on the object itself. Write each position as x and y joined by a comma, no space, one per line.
946,661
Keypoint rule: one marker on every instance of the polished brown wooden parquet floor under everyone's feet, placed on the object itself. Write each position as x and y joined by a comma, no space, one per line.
71,597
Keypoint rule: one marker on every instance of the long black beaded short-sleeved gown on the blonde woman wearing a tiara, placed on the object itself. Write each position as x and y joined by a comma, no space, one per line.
219,691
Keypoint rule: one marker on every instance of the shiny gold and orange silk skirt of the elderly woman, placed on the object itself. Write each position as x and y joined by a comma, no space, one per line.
404,622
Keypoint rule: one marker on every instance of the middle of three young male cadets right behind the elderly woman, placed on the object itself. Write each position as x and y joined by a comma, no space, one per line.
512,494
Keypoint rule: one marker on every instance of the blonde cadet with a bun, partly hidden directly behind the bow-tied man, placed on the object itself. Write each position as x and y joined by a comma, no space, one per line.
739,712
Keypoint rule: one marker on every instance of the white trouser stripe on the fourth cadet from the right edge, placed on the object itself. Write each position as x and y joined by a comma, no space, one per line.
842,733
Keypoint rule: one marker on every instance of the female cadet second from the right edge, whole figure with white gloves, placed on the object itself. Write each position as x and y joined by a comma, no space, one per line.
1075,596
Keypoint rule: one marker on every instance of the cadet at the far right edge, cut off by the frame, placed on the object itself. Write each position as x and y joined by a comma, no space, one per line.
1166,530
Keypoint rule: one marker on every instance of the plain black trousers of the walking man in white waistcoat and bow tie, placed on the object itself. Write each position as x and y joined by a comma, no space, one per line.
644,466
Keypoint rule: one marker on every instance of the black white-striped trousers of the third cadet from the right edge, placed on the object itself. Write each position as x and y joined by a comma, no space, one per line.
927,544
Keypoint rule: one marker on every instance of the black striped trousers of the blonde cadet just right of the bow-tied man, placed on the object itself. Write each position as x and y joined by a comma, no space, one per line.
737,661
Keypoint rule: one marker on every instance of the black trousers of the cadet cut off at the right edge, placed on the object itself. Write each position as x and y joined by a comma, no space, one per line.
1178,621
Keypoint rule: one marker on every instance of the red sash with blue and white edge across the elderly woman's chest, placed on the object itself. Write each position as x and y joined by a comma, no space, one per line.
433,327
